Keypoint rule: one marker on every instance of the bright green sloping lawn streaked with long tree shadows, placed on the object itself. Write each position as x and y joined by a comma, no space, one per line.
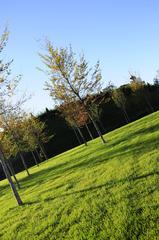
97,192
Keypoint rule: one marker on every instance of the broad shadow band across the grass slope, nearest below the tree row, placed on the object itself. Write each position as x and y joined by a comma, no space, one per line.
91,159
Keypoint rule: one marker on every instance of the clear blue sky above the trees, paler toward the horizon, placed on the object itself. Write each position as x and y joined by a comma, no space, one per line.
122,34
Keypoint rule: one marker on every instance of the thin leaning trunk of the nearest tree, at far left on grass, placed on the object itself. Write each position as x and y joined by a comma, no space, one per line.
13,188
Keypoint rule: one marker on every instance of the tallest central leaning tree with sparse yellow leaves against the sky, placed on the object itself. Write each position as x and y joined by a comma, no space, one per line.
71,79
